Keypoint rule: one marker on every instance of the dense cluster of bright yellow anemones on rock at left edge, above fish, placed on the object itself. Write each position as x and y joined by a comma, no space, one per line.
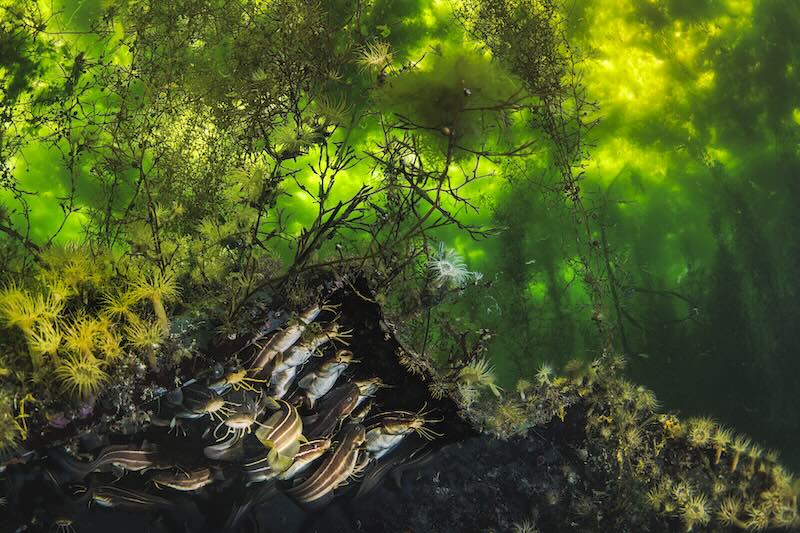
75,325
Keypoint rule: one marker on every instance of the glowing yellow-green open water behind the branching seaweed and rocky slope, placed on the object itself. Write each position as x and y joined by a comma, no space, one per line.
690,184
